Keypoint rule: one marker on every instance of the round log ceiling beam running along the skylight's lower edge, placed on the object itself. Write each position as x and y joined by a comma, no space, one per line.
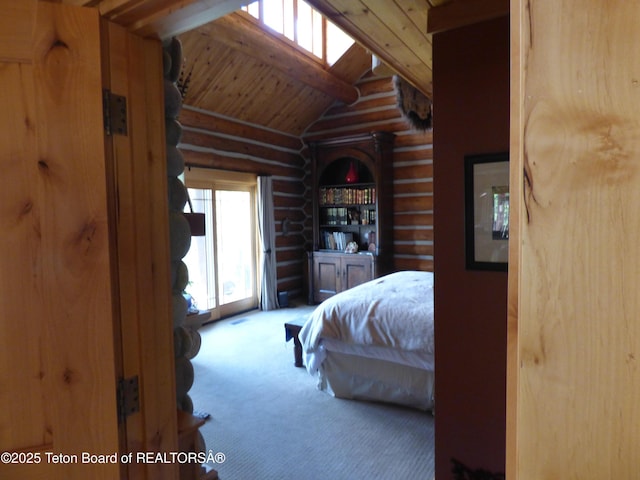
240,33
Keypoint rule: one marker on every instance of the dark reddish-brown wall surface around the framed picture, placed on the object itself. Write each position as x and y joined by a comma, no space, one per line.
471,105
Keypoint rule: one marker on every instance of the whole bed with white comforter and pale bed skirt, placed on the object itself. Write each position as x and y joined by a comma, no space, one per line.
375,341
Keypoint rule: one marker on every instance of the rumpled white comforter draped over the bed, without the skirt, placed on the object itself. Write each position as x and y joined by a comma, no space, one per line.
394,311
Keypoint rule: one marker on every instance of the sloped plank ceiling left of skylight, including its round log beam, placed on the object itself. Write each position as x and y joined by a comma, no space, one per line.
238,70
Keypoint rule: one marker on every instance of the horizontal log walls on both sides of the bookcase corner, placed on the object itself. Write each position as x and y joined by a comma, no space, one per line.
213,141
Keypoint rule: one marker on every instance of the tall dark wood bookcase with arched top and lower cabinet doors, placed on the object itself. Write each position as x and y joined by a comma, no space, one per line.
352,188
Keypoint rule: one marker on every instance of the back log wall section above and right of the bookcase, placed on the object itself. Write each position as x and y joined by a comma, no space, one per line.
412,166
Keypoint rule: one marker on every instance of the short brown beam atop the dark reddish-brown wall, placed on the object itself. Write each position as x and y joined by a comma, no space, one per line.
461,13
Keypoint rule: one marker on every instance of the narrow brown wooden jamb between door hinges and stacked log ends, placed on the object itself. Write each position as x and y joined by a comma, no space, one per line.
138,179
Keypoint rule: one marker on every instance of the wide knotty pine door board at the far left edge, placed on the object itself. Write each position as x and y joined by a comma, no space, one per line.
57,361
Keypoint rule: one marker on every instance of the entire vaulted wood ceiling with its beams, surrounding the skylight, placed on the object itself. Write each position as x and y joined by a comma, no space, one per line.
240,71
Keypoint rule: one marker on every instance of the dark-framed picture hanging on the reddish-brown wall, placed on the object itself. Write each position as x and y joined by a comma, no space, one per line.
486,211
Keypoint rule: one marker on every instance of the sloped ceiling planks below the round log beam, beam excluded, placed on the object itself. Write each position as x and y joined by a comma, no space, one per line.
232,83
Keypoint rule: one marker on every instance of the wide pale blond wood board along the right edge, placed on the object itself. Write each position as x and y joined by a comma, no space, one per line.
573,334
